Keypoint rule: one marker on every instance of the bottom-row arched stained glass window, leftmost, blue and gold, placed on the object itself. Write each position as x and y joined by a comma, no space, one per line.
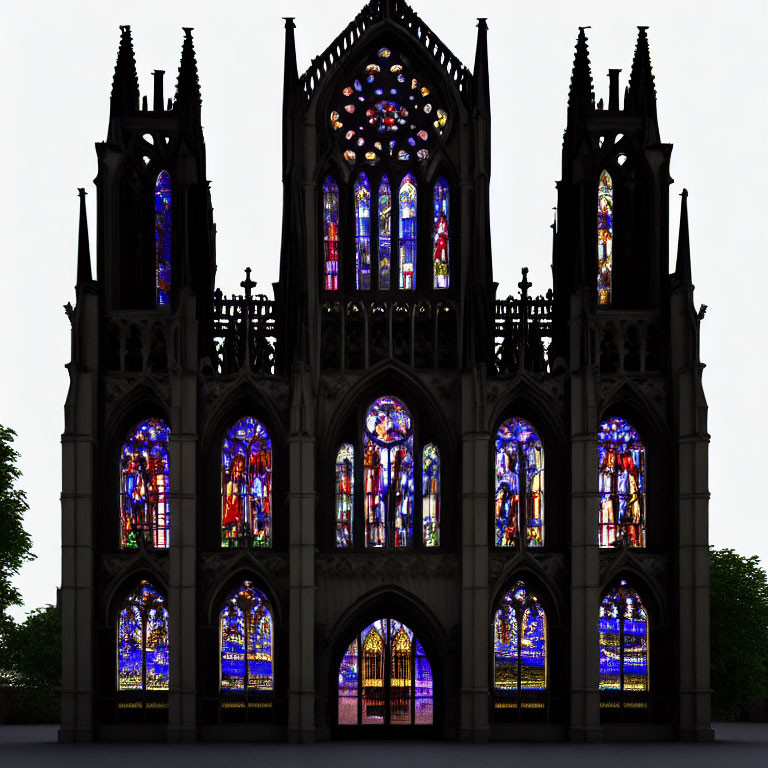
142,641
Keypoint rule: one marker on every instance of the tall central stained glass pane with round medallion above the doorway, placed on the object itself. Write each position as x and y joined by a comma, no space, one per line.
388,474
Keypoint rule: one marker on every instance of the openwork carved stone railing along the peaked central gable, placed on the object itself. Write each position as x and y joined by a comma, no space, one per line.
375,11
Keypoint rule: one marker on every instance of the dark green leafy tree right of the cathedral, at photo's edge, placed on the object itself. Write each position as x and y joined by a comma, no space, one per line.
739,633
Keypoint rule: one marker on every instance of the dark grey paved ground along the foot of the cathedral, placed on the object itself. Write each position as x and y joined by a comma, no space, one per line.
736,745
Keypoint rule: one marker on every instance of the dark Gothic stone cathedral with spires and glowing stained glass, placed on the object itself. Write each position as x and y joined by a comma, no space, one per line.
384,502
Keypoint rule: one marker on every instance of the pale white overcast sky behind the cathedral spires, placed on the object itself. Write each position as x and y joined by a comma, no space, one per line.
57,62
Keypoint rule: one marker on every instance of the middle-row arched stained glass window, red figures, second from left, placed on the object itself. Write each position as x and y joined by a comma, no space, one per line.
246,486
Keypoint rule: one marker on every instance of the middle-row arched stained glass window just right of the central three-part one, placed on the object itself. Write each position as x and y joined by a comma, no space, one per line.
519,475
